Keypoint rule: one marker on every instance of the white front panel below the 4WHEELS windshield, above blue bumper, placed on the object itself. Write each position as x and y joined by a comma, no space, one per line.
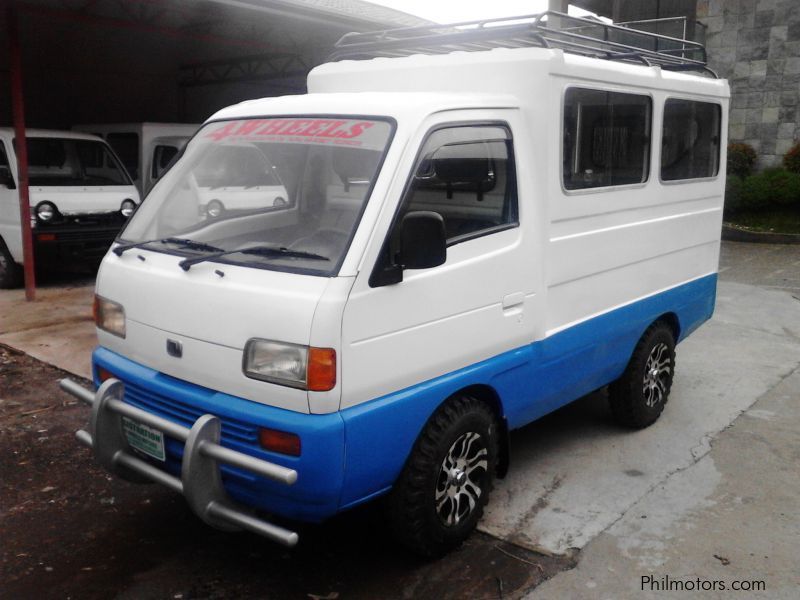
212,310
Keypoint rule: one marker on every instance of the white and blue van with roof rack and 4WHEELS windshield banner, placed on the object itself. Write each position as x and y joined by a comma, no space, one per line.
470,240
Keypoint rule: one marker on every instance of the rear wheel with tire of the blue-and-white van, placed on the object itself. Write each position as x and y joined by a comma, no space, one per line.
638,397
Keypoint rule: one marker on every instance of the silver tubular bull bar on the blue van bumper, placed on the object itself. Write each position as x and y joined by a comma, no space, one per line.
200,481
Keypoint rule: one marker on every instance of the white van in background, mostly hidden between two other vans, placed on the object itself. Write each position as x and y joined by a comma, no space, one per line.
146,149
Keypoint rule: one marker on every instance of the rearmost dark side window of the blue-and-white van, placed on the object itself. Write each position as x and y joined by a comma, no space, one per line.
690,140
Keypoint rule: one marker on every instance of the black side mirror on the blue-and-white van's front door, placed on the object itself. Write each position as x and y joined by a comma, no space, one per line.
423,242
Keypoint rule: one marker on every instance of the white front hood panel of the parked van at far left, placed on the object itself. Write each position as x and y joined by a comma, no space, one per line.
83,200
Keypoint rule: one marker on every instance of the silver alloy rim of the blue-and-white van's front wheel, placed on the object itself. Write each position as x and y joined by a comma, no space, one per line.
458,487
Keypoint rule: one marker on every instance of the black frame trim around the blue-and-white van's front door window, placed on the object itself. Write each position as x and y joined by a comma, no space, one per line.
379,264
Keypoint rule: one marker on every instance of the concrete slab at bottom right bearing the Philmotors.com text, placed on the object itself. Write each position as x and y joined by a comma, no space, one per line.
729,519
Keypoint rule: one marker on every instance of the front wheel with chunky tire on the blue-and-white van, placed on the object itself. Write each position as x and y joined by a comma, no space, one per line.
439,497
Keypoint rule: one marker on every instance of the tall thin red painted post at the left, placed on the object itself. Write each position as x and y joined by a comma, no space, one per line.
18,105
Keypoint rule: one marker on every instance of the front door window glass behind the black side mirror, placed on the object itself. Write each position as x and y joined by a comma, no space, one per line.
466,174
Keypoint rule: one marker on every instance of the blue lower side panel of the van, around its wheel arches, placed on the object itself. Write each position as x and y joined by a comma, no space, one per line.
530,381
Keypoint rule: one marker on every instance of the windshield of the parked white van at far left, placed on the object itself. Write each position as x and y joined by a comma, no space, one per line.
72,162
